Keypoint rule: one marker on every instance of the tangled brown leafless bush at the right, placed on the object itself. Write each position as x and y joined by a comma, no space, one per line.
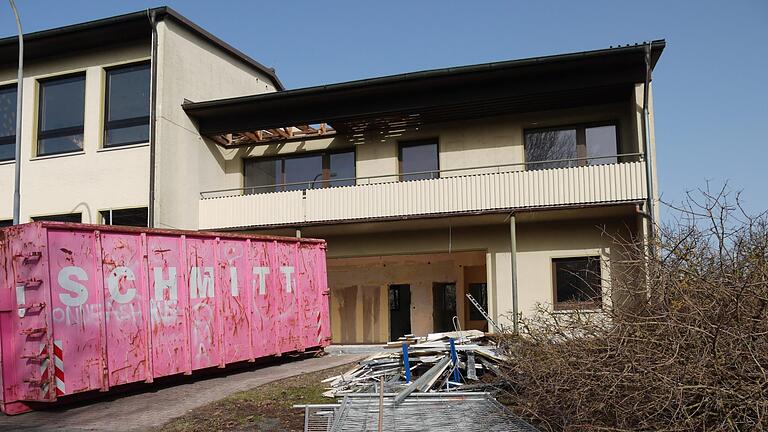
684,345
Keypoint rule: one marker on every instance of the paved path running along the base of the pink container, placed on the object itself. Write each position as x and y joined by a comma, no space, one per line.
150,406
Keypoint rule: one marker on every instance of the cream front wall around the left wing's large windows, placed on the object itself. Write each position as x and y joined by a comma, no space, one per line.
88,181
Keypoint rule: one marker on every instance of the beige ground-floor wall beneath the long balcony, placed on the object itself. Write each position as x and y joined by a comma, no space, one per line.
537,244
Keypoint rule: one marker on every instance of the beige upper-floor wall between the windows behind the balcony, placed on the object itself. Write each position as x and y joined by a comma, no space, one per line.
462,144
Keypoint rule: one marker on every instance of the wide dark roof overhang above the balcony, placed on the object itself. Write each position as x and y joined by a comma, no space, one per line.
534,84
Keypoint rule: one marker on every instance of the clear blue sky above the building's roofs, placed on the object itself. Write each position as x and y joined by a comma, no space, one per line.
711,94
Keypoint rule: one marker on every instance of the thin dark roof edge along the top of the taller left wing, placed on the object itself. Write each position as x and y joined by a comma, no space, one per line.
160,13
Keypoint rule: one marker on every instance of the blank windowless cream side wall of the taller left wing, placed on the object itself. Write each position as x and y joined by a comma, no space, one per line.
191,68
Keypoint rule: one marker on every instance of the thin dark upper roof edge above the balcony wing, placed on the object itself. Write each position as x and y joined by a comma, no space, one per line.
657,46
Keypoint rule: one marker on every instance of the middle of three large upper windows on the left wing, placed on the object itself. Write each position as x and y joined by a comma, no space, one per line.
60,119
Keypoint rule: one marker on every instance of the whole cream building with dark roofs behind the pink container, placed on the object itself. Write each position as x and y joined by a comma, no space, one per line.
515,182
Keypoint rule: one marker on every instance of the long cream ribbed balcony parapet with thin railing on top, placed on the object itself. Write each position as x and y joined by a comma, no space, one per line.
455,191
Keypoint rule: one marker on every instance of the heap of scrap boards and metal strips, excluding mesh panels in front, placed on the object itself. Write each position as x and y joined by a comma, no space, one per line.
452,361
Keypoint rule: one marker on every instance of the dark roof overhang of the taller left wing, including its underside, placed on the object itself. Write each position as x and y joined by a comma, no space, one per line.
114,30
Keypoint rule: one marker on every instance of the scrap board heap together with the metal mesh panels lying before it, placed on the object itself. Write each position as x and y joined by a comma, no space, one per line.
436,383
